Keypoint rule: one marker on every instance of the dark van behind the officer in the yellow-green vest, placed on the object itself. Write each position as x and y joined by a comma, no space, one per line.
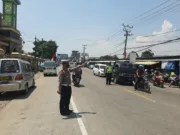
124,72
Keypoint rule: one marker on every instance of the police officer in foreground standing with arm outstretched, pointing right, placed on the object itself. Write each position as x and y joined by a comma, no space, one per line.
65,87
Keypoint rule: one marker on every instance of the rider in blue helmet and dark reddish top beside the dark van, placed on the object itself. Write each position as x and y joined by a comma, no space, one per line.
139,75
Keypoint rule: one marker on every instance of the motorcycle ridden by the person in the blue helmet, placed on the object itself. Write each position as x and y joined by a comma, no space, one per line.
144,85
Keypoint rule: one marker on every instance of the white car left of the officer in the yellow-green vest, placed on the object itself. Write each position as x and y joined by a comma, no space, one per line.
99,69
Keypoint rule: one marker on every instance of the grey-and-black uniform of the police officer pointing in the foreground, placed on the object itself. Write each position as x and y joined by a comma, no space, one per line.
65,87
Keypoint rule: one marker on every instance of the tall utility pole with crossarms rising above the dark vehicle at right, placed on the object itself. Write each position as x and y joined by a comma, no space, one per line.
127,30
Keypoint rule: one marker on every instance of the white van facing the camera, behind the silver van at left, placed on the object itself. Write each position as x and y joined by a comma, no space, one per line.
50,68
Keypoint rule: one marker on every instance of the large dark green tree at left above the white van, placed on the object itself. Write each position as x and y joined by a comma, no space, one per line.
45,49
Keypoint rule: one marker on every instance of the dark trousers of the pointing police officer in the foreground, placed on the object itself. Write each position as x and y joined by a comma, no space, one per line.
65,98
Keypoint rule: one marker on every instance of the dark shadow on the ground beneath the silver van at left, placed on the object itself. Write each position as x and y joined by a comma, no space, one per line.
16,95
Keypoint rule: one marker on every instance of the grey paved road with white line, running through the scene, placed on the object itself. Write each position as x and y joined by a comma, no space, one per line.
99,110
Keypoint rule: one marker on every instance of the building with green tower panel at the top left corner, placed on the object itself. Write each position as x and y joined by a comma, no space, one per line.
10,37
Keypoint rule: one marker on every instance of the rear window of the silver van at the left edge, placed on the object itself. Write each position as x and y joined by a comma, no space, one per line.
9,66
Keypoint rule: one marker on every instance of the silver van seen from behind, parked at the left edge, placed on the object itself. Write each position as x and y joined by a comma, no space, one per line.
15,75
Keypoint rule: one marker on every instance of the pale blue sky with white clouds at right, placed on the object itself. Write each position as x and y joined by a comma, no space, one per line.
98,24
